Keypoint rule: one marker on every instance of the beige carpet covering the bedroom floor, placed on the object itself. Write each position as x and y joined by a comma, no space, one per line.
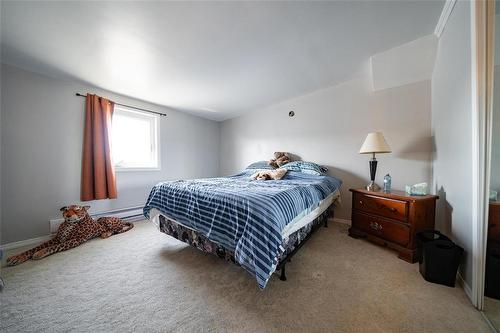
145,281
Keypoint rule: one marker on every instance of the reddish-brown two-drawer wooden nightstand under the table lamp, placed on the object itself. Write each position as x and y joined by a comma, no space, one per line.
392,219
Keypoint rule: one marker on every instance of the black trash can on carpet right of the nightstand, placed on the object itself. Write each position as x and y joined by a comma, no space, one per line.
440,258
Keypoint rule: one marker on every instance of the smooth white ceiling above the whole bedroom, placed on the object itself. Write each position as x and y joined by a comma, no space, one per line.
214,59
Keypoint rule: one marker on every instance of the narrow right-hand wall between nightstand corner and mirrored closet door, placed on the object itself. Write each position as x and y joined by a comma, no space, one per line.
452,132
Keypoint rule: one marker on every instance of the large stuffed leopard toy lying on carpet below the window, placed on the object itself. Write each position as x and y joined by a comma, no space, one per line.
77,228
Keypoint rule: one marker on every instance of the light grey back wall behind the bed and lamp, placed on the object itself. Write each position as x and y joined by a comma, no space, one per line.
329,127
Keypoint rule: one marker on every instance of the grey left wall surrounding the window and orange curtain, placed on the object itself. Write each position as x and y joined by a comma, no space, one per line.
41,135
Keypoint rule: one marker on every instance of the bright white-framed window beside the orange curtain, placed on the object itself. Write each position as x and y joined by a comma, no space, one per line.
134,140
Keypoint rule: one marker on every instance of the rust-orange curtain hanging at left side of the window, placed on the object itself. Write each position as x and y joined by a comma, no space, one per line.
98,172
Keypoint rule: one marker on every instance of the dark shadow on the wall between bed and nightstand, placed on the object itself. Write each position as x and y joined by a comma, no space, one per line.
349,180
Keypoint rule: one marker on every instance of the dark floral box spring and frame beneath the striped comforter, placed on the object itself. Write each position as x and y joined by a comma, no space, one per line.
297,238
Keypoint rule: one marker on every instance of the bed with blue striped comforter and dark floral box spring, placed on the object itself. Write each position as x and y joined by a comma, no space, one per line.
258,225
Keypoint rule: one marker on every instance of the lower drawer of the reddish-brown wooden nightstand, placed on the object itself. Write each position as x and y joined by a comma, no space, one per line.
391,231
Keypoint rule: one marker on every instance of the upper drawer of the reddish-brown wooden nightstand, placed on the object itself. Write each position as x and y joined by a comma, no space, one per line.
391,208
